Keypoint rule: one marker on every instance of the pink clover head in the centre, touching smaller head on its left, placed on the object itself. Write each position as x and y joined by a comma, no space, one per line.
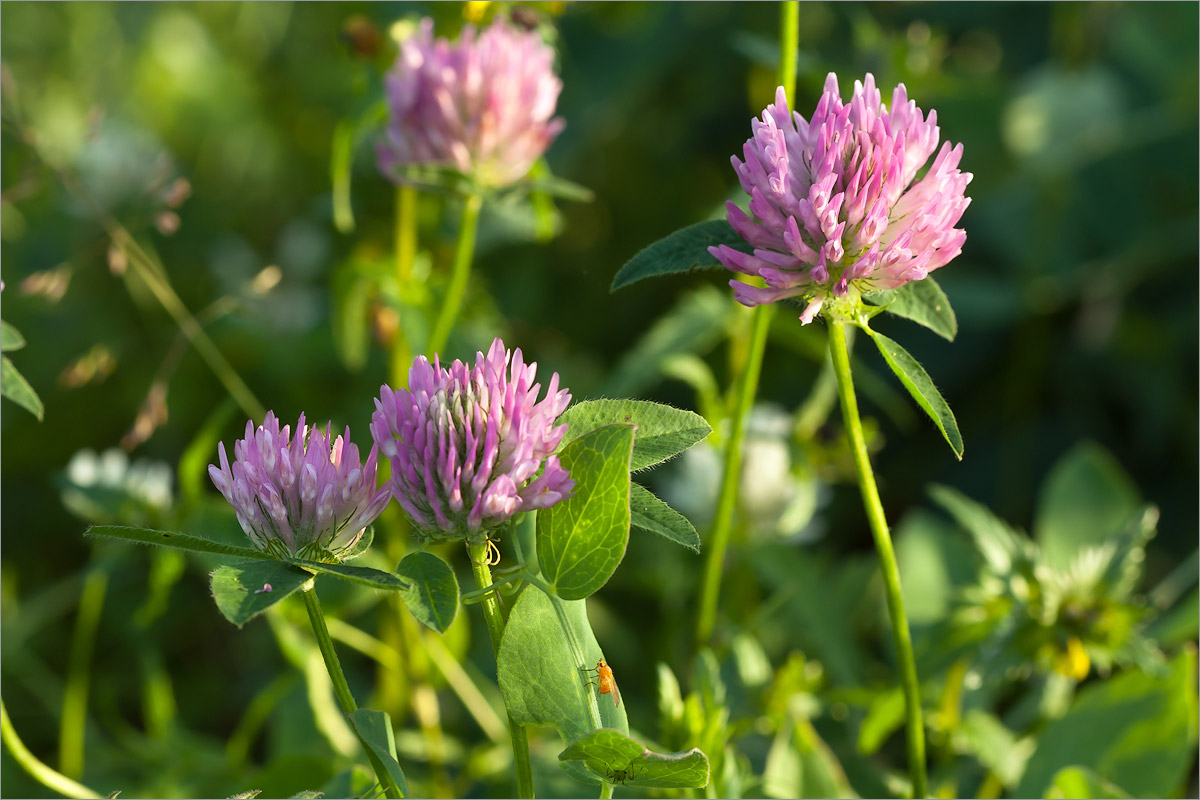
466,444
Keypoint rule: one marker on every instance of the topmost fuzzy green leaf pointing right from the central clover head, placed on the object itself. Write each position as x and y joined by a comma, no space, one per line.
662,431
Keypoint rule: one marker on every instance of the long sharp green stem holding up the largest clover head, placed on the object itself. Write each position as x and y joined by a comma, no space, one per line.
879,524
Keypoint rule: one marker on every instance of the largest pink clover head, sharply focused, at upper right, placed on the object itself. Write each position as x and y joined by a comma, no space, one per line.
838,209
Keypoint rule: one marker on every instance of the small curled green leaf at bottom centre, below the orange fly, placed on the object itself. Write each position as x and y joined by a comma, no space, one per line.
615,757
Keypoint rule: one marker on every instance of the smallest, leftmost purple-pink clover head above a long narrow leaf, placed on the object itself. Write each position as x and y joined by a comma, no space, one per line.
307,497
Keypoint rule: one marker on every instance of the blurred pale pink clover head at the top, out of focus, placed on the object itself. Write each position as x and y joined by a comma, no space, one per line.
482,106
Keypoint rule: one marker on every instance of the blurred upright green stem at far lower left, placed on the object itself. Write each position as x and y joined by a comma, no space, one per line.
75,699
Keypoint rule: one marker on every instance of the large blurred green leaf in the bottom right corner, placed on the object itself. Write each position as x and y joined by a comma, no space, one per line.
1135,730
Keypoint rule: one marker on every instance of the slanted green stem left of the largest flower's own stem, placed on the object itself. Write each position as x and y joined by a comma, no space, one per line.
727,501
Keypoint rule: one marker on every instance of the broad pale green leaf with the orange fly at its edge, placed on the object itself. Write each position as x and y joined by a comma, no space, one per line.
539,678
